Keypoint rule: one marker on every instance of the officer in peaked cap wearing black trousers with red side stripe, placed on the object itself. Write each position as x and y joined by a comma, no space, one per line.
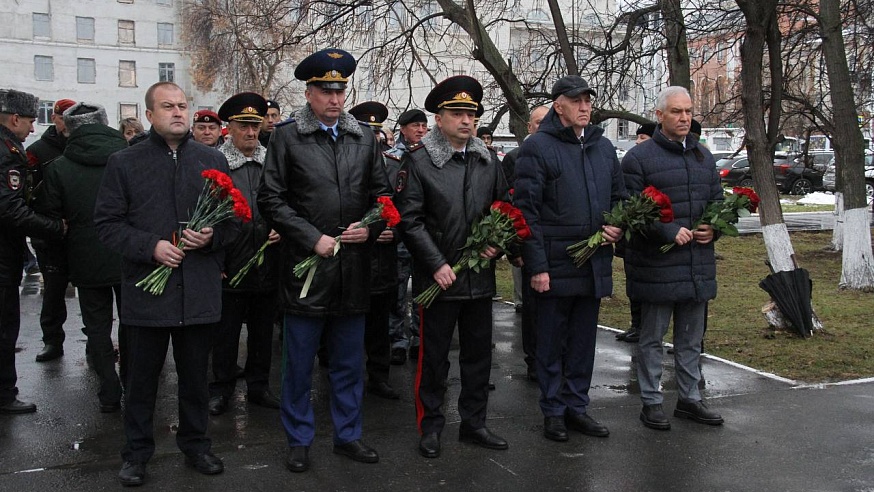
450,183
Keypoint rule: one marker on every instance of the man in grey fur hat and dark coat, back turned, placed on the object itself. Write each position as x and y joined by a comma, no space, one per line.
69,191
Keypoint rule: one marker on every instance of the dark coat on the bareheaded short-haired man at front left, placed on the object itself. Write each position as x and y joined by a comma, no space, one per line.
147,192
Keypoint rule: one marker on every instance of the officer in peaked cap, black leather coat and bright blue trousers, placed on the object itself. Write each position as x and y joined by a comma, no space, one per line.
323,173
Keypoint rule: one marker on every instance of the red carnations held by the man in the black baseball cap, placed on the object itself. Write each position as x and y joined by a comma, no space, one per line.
632,216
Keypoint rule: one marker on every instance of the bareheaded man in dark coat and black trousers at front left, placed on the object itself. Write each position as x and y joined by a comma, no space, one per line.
148,190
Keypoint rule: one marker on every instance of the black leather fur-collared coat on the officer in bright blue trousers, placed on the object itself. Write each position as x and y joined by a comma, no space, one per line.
313,185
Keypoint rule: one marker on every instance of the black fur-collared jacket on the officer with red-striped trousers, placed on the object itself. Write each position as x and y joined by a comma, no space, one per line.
441,198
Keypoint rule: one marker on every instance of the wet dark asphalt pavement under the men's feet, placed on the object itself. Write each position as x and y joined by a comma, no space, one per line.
779,435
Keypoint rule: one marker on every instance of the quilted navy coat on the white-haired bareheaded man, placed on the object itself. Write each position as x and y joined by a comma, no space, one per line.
689,177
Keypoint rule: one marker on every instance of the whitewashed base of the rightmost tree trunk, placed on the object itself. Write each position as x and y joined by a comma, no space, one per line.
857,268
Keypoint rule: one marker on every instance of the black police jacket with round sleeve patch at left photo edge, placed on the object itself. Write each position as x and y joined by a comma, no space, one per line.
17,220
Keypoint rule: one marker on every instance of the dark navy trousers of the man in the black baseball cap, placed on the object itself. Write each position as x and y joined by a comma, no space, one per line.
566,333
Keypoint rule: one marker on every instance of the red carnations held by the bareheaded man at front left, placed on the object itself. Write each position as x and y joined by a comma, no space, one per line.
219,200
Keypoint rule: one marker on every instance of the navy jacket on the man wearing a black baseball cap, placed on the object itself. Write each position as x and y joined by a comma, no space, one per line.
563,188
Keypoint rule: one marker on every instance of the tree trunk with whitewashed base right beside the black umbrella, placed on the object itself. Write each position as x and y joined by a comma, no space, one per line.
760,22
